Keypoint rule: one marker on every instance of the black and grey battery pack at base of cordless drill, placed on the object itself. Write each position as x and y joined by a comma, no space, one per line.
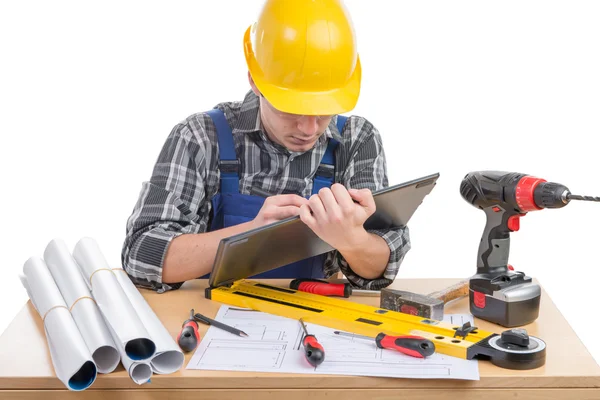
511,299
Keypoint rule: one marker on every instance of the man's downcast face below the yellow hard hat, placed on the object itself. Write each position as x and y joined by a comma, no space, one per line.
298,133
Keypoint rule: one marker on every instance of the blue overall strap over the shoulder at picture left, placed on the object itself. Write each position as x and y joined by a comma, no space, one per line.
228,162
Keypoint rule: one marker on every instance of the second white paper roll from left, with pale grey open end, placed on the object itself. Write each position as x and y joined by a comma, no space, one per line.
79,301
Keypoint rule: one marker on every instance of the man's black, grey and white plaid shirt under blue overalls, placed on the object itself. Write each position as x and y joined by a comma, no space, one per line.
185,177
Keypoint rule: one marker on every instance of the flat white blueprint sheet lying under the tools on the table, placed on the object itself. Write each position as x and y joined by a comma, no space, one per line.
274,345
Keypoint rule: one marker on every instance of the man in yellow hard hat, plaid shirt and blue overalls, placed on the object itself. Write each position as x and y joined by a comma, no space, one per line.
284,150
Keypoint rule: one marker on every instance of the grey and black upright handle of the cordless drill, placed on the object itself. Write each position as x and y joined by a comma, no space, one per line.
492,256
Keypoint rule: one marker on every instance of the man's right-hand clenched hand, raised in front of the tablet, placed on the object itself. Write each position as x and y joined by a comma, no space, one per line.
336,218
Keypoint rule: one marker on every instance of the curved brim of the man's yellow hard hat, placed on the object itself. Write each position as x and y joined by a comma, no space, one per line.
330,102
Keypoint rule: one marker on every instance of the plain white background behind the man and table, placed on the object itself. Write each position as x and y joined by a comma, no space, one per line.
90,91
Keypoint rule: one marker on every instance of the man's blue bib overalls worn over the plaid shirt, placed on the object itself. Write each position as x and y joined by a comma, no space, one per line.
230,207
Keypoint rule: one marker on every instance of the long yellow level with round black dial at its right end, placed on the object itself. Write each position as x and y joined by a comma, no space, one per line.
512,349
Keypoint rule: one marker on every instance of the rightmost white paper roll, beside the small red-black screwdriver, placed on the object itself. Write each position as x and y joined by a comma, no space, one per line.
168,357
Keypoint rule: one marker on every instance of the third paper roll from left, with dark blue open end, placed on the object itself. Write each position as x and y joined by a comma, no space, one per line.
130,335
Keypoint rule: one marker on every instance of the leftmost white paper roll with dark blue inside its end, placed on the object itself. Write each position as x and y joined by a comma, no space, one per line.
72,360
